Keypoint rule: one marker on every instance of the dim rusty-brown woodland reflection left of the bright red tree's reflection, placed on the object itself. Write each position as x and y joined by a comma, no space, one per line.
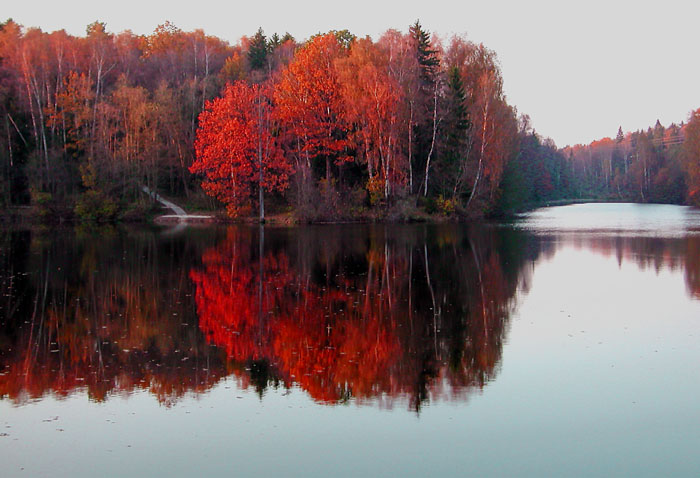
103,313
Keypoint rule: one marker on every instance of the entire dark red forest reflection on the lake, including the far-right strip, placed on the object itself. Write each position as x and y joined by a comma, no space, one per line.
377,314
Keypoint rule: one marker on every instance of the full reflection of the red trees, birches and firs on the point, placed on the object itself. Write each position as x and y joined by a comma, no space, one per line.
365,313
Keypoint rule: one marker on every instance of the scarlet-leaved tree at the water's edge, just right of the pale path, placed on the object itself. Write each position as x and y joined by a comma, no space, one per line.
237,151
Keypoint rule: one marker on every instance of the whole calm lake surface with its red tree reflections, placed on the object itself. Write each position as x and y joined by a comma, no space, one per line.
564,344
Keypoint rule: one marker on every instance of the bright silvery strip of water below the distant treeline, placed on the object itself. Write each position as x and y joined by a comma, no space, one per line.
645,219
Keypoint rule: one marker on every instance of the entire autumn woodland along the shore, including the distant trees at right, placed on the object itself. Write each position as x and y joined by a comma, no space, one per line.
334,127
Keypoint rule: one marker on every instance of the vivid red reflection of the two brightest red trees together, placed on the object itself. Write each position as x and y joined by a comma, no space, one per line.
315,336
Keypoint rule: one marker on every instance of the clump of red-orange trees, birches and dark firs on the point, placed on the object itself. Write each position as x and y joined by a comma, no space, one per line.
361,124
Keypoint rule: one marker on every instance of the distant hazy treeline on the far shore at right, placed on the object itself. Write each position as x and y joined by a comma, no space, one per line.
659,165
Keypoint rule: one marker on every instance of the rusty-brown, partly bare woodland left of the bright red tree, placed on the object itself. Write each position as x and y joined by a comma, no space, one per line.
87,120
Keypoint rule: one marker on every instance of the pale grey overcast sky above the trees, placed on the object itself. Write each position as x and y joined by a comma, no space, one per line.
579,69
